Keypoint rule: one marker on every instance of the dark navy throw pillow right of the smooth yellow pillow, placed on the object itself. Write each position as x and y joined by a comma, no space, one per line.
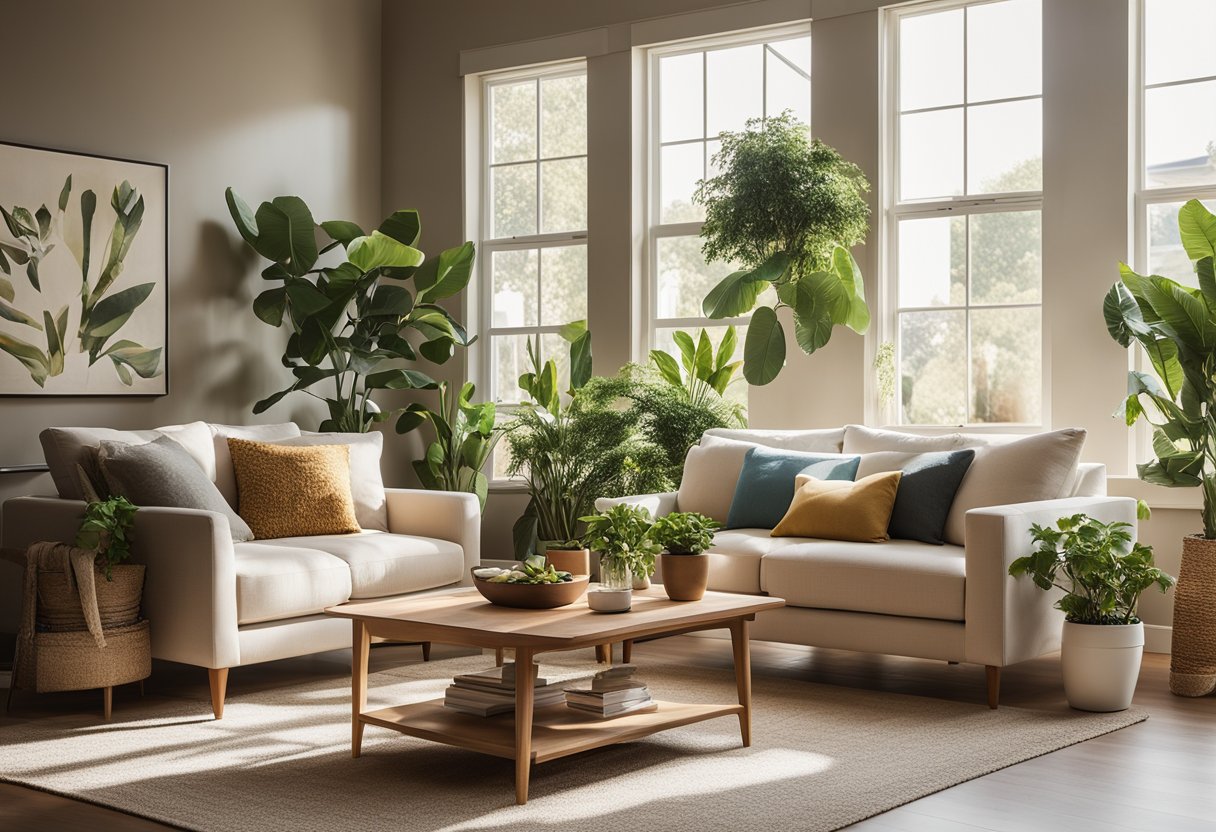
927,492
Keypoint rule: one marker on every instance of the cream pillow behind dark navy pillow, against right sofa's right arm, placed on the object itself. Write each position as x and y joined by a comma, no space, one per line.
1042,466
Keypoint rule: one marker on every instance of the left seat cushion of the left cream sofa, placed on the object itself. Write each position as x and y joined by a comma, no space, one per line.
286,582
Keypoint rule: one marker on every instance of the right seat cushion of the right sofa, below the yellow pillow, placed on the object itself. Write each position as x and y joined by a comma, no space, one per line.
898,578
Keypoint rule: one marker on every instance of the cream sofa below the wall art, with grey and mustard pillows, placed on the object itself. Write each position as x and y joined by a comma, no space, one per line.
219,605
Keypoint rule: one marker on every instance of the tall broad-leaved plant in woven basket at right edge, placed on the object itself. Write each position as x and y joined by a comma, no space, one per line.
1175,324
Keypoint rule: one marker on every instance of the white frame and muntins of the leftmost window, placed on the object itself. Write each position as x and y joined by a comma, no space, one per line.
488,246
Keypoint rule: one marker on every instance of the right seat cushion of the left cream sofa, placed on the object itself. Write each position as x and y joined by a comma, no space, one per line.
384,564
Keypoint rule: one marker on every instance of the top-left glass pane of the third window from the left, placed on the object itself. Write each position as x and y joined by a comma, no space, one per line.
932,60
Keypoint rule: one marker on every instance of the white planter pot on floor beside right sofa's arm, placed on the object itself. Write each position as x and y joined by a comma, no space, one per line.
1101,665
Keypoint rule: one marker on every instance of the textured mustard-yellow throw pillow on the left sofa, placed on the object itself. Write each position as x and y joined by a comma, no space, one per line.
289,492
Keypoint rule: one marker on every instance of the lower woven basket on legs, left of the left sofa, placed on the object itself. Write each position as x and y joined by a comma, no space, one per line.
74,662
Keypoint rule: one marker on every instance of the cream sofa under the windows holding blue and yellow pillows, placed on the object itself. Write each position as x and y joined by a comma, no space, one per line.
950,603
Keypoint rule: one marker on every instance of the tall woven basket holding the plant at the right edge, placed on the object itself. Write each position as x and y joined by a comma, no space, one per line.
1194,653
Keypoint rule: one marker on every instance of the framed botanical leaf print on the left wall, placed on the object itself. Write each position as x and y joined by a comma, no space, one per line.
85,265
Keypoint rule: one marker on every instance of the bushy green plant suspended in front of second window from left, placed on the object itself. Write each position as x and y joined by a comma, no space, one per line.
787,209
